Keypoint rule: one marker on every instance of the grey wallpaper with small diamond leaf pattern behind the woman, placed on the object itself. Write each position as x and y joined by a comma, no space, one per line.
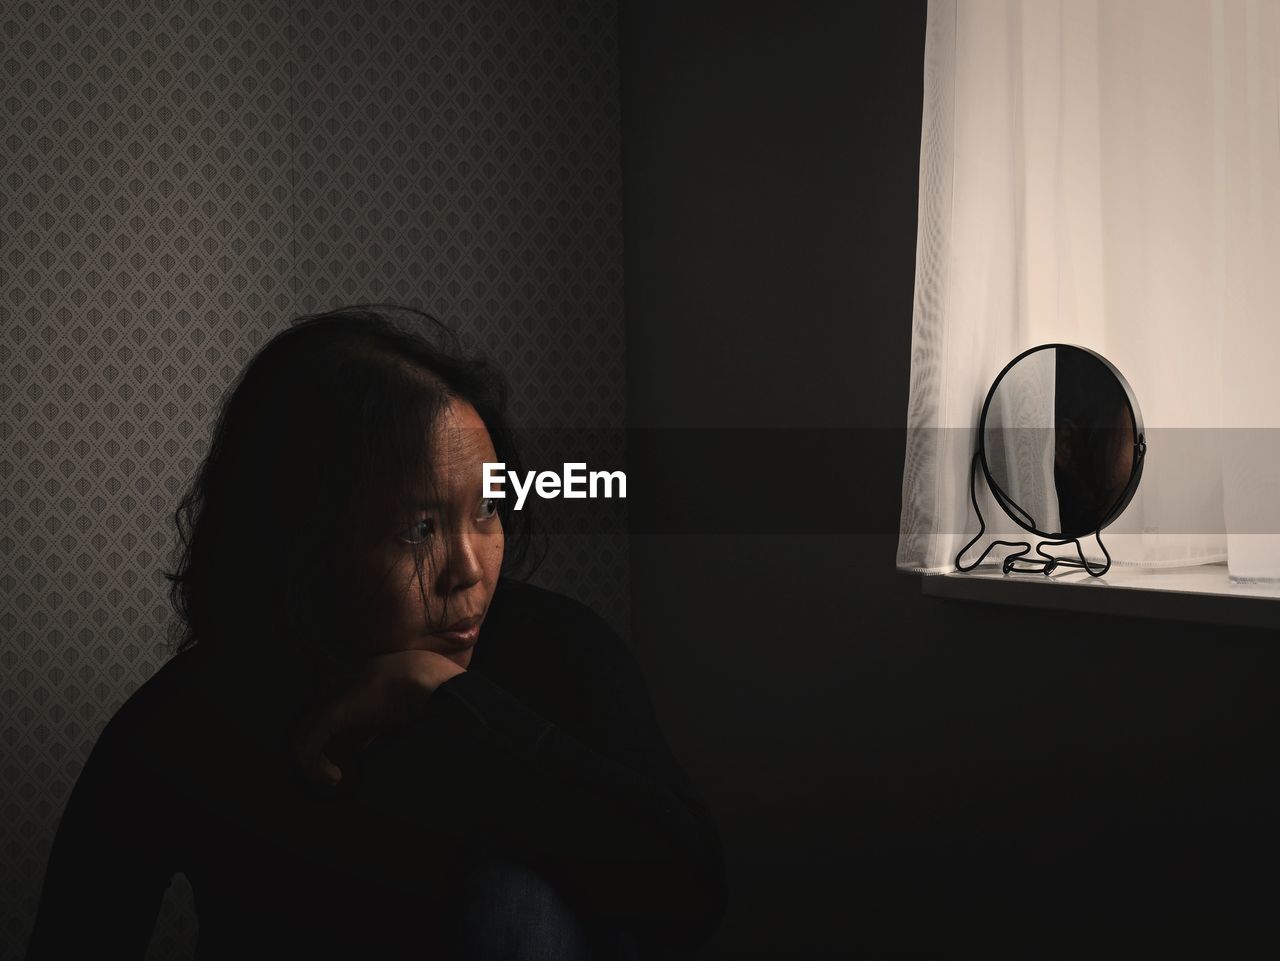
177,181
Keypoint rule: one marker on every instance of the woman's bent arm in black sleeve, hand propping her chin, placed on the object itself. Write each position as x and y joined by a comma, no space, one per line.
605,808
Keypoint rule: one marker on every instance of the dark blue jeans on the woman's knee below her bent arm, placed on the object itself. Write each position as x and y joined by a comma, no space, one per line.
510,912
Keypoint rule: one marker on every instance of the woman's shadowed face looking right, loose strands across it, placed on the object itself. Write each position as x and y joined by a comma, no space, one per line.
463,544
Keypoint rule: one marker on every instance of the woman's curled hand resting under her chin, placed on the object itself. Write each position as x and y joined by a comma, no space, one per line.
391,693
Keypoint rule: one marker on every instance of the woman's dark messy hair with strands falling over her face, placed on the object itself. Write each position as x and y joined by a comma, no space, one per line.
324,434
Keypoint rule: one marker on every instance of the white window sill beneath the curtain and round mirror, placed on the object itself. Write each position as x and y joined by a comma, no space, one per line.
1201,593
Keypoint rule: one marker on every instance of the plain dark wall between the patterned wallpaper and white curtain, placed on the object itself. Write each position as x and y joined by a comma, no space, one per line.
894,776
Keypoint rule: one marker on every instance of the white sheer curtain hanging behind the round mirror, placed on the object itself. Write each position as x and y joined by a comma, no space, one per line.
1105,173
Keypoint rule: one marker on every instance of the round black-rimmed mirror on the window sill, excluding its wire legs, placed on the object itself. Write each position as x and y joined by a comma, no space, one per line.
1062,442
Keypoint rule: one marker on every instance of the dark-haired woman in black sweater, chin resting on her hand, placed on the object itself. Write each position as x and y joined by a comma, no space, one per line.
376,742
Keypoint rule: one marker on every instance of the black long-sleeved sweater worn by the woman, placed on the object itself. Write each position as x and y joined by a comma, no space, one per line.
547,747
